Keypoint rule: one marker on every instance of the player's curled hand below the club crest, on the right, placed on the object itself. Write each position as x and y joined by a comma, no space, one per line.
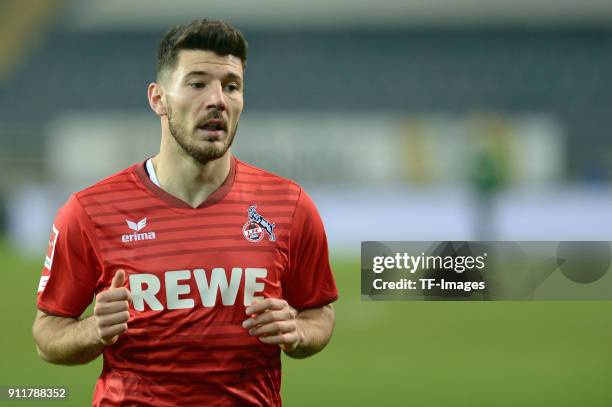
274,322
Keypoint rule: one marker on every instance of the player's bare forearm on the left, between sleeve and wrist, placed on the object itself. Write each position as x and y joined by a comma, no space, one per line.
66,341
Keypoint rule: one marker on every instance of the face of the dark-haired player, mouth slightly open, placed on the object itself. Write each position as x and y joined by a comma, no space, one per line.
204,99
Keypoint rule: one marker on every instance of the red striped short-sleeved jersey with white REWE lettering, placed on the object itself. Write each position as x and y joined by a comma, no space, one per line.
192,272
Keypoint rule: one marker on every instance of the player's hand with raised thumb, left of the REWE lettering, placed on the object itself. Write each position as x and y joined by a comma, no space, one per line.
111,310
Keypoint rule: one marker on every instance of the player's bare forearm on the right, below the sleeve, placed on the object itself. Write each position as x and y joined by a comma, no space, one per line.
315,327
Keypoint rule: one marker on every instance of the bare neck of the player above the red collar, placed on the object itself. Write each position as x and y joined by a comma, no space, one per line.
186,178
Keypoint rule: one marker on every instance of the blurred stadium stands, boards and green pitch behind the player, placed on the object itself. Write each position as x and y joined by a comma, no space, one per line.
405,120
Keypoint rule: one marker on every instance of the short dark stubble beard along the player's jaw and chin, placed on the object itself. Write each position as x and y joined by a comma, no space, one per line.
203,155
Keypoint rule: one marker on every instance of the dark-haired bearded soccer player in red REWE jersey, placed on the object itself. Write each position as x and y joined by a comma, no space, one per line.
203,268
